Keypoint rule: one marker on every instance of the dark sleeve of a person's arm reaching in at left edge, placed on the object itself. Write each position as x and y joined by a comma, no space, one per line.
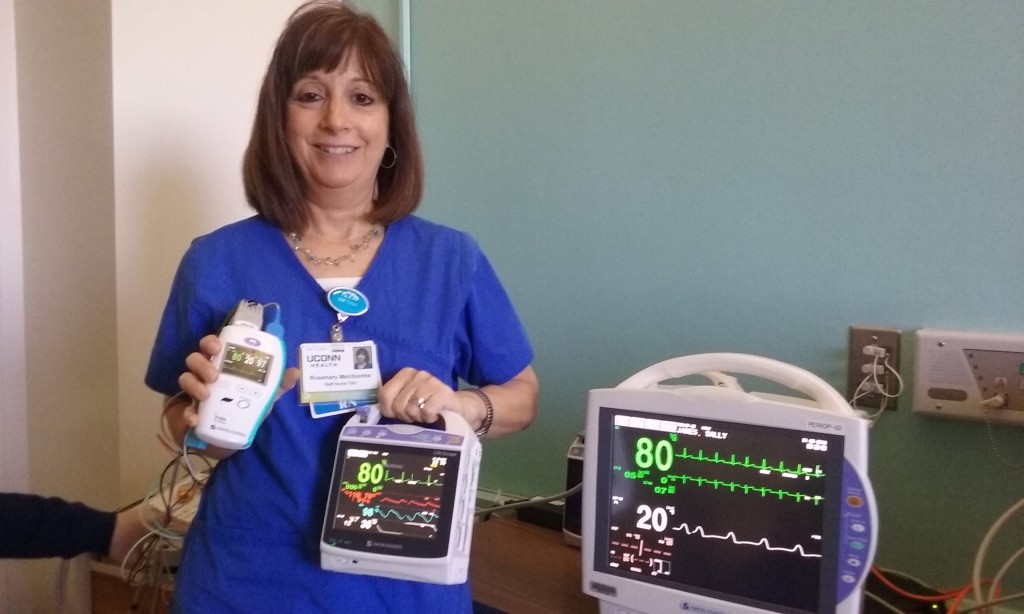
36,528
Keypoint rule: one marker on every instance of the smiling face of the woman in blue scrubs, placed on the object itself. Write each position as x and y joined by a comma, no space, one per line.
337,131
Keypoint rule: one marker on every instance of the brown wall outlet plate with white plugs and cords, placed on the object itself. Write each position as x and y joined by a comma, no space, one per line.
873,349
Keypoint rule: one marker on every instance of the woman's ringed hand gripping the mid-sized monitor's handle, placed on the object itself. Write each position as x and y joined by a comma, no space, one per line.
416,397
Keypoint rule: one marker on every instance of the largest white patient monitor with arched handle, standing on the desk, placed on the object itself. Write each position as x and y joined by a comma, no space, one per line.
713,500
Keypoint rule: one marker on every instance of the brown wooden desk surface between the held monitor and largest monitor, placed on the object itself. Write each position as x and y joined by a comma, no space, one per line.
520,567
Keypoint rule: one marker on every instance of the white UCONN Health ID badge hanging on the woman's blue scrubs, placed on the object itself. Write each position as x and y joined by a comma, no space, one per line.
338,377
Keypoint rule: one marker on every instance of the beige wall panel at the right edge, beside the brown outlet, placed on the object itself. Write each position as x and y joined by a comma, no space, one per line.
970,376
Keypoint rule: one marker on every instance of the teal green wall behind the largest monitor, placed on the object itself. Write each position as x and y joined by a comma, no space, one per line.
661,179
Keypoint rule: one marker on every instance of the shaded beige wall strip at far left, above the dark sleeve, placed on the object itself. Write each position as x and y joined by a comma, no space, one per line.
64,91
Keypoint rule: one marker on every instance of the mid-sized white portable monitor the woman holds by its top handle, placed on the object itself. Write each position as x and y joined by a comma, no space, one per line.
403,500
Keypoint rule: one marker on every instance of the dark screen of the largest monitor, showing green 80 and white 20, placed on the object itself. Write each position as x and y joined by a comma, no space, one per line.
743,513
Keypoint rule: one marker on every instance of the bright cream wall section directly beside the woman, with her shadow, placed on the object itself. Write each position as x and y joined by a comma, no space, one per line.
186,79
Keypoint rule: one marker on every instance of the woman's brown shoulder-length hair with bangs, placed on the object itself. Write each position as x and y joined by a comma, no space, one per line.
320,36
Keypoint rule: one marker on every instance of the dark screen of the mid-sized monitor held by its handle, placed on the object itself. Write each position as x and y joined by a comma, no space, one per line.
393,500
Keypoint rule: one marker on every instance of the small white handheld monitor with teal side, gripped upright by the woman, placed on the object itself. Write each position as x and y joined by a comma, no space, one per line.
251,363
